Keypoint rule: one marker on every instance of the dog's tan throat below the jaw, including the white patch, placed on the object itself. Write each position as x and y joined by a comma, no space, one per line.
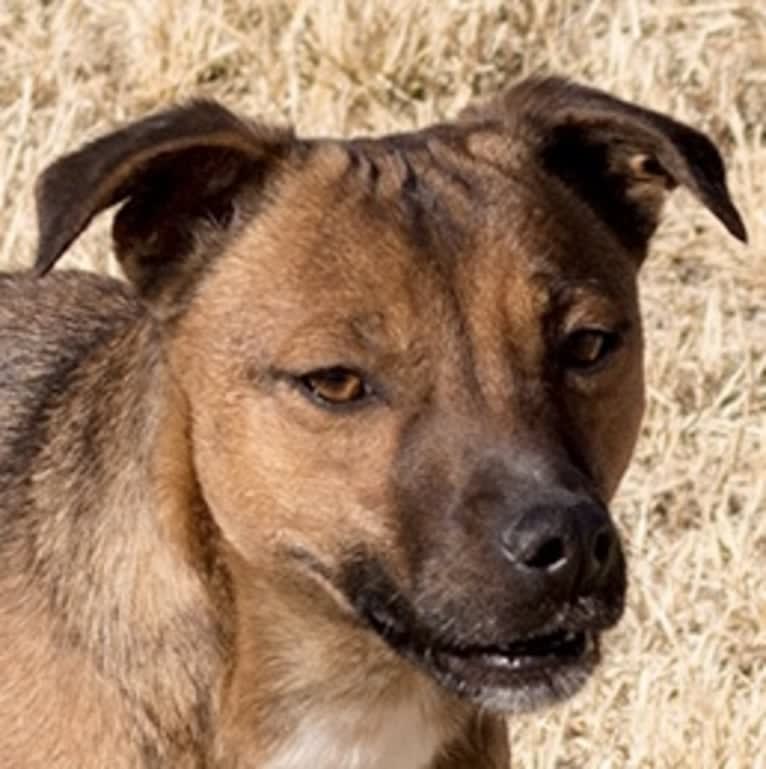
311,688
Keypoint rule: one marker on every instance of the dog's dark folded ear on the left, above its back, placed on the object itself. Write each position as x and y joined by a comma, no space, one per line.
177,172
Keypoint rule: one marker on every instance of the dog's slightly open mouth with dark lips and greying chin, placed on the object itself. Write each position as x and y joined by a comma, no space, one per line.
517,673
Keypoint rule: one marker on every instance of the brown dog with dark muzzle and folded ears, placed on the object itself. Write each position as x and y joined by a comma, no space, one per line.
325,482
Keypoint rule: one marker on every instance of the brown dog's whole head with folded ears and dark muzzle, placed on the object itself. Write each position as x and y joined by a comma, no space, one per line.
413,364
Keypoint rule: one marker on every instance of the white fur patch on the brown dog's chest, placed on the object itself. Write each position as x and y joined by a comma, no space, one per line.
398,736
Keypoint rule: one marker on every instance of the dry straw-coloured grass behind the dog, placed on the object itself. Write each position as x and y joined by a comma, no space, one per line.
685,683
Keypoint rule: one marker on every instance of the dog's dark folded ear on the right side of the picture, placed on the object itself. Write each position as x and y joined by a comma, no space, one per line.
621,159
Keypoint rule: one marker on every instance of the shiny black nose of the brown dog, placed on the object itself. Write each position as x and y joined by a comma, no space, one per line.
573,544
